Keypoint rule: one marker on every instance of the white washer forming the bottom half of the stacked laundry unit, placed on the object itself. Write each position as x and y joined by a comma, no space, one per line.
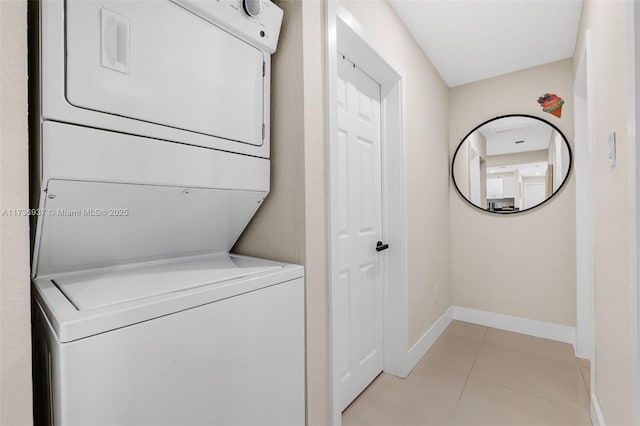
213,339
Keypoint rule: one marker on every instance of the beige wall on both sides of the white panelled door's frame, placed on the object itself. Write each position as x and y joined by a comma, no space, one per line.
291,225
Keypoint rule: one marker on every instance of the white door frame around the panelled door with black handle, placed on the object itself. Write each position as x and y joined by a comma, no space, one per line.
346,34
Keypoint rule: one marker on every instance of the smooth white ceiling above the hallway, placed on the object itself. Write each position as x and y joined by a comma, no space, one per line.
471,40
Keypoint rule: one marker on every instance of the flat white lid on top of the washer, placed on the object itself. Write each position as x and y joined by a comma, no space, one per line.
97,289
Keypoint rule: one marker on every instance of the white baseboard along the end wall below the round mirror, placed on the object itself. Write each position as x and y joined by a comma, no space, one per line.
546,330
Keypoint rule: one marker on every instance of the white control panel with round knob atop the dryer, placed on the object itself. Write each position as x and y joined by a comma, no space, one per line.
256,21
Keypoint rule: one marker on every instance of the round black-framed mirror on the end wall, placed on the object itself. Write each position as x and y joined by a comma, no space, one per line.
511,164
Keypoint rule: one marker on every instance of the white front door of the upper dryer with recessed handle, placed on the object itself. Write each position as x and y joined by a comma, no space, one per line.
154,61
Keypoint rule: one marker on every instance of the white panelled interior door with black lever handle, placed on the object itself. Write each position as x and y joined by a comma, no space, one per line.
359,325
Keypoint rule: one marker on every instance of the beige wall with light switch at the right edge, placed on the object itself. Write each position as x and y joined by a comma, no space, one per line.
608,25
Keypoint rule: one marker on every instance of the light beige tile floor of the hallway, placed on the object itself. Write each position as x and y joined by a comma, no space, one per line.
475,375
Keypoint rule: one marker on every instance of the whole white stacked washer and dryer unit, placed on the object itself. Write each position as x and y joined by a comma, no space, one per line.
152,151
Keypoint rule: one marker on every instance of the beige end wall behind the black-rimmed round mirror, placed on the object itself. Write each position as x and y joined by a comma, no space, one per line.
524,264
